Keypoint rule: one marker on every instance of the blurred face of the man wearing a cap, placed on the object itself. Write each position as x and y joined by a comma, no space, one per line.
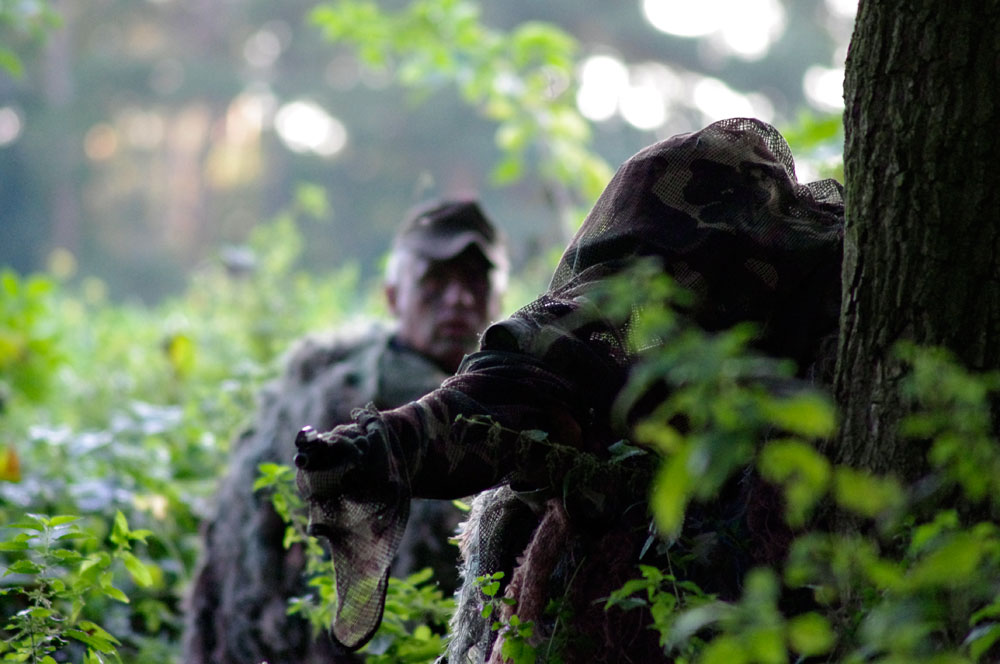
442,306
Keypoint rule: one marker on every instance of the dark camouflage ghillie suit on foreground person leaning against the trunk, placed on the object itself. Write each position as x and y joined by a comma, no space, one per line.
722,213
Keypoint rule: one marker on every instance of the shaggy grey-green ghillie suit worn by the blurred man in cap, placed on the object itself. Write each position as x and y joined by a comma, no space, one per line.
239,599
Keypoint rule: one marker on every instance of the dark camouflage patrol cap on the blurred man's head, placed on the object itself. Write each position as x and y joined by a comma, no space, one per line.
441,230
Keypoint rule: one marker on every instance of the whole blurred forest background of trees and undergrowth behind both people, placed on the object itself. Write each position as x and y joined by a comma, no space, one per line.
187,187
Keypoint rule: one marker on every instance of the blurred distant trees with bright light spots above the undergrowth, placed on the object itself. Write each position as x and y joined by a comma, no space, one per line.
143,137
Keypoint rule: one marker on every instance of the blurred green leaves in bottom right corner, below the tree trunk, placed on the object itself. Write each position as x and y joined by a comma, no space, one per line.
905,588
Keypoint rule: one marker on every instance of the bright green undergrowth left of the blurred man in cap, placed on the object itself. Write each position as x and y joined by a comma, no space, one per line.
119,414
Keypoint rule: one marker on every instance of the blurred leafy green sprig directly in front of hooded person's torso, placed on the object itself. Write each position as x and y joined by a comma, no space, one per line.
721,399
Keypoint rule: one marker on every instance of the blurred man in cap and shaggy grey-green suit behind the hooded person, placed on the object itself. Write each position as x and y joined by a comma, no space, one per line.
444,278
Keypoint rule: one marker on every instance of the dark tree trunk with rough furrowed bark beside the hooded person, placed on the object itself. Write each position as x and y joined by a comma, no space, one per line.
922,247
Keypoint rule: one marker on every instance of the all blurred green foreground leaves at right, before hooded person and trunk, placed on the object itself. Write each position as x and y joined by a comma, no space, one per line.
915,579
